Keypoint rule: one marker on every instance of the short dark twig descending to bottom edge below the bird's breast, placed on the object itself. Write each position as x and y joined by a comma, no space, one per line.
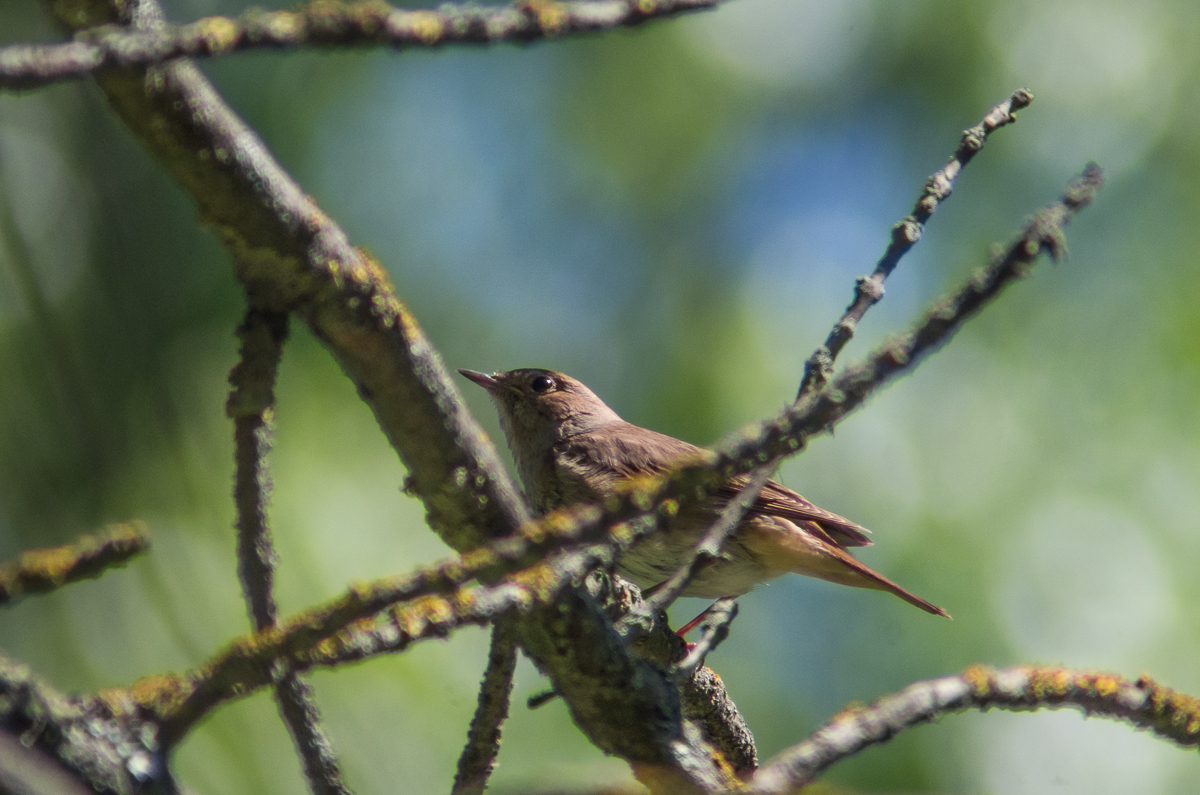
478,757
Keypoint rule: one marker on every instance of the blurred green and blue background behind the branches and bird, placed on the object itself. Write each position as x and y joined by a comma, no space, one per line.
676,217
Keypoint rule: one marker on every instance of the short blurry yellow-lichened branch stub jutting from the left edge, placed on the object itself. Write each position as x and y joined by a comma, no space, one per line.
41,571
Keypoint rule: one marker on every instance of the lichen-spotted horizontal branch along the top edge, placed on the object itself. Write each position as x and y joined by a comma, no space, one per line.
327,23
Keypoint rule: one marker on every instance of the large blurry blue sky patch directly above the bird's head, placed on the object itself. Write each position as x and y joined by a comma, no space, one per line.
451,176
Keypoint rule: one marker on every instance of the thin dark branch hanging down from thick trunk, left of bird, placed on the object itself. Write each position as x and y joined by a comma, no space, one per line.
253,405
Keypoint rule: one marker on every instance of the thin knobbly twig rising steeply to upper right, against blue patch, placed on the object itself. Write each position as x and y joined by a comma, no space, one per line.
905,235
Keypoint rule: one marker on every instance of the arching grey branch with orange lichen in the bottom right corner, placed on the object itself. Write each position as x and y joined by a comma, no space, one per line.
1145,704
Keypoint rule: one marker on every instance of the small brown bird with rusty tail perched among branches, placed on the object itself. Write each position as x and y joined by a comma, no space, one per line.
572,447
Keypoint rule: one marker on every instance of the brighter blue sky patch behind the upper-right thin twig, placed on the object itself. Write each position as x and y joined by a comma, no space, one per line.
813,210
